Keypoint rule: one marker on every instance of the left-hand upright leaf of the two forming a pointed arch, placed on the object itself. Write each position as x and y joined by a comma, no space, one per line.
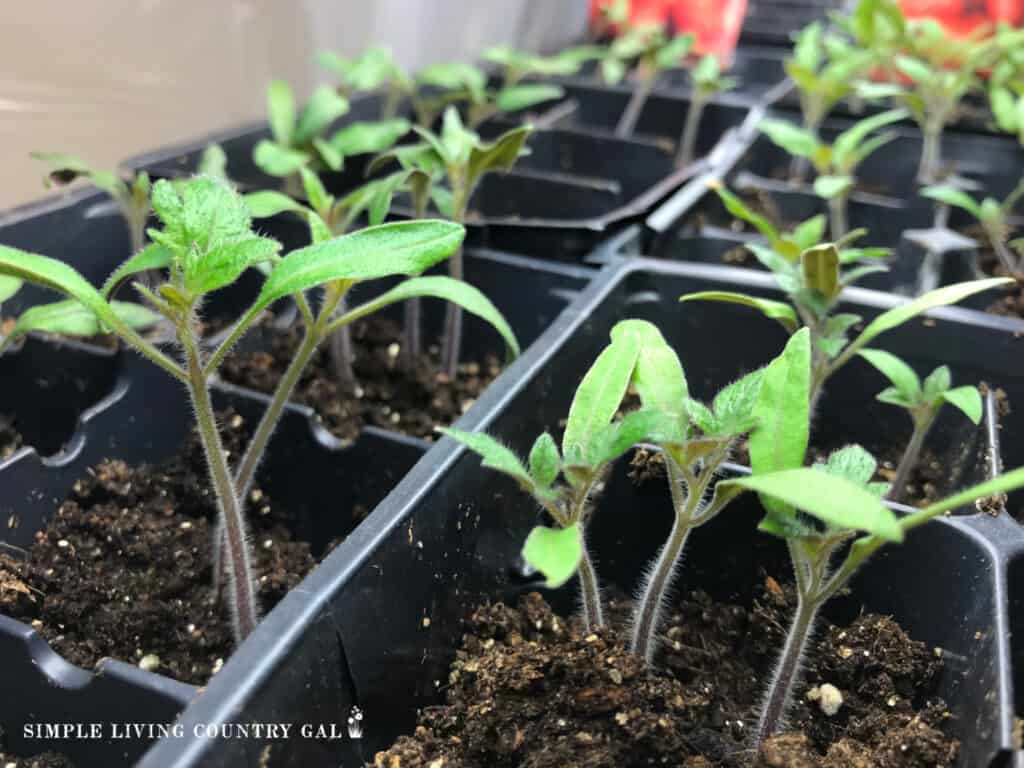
599,398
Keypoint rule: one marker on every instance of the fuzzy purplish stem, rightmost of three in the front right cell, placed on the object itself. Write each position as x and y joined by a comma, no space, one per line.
788,668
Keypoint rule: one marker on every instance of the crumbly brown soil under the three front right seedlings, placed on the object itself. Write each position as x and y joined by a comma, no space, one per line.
529,689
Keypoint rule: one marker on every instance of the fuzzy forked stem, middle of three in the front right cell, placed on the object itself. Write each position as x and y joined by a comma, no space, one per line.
646,620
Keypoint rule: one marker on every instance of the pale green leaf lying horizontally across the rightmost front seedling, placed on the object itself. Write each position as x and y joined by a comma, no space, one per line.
834,500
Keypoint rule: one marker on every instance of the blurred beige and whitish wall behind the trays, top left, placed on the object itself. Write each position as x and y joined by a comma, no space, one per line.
106,79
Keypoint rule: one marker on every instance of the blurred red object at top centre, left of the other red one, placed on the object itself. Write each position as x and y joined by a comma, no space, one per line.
715,24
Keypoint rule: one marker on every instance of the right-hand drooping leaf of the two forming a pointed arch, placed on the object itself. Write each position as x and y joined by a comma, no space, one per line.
658,375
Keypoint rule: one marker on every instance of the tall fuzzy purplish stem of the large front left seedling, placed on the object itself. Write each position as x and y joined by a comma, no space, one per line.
242,595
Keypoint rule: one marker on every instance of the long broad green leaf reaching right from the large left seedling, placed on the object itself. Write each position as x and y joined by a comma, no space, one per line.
403,248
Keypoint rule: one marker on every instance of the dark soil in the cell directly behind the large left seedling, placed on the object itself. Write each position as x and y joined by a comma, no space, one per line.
387,396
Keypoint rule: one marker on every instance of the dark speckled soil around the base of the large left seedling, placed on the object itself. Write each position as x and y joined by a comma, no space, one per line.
124,570
